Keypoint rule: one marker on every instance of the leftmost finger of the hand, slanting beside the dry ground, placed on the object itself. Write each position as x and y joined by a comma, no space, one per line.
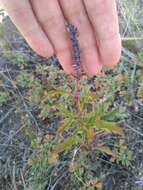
23,17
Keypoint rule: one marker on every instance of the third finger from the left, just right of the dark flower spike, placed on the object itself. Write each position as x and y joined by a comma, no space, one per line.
75,13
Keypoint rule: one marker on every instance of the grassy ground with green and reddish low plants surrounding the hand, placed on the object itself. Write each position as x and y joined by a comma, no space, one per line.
45,144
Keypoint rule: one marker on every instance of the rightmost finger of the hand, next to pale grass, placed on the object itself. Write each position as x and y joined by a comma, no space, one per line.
104,19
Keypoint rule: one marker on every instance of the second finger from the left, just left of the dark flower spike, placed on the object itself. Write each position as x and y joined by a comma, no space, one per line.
52,21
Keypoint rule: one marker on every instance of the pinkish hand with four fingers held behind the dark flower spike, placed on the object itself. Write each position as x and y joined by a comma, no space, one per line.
42,23
